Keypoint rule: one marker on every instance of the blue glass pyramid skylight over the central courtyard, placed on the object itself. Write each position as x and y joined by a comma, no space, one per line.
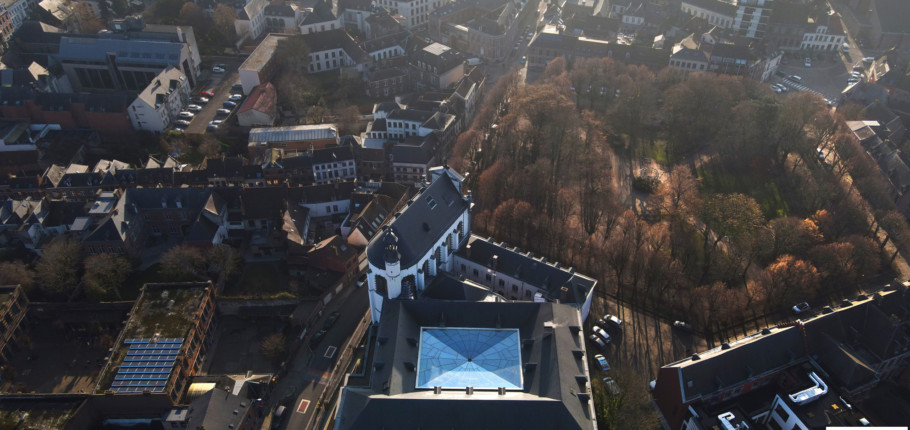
467,357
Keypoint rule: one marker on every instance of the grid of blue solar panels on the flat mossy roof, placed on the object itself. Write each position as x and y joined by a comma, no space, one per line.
147,365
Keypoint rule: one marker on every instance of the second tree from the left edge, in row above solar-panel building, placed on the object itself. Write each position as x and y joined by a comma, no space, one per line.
58,270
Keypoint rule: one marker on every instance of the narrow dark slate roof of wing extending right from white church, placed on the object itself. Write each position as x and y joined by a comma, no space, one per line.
535,271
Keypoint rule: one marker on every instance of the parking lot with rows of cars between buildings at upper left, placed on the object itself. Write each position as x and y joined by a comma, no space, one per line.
219,84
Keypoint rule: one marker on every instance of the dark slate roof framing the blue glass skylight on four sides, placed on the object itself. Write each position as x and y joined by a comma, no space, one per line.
549,400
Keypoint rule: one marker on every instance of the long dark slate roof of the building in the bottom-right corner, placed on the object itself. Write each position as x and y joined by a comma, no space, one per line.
847,343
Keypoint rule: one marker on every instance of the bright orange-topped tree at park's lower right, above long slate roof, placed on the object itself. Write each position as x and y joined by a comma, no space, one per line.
788,280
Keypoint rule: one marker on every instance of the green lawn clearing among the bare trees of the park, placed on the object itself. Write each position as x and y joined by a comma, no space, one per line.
716,179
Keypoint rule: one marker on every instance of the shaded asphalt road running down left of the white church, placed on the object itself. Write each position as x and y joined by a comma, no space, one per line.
308,375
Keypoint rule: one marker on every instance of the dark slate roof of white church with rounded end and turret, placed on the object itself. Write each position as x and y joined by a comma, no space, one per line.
428,216
